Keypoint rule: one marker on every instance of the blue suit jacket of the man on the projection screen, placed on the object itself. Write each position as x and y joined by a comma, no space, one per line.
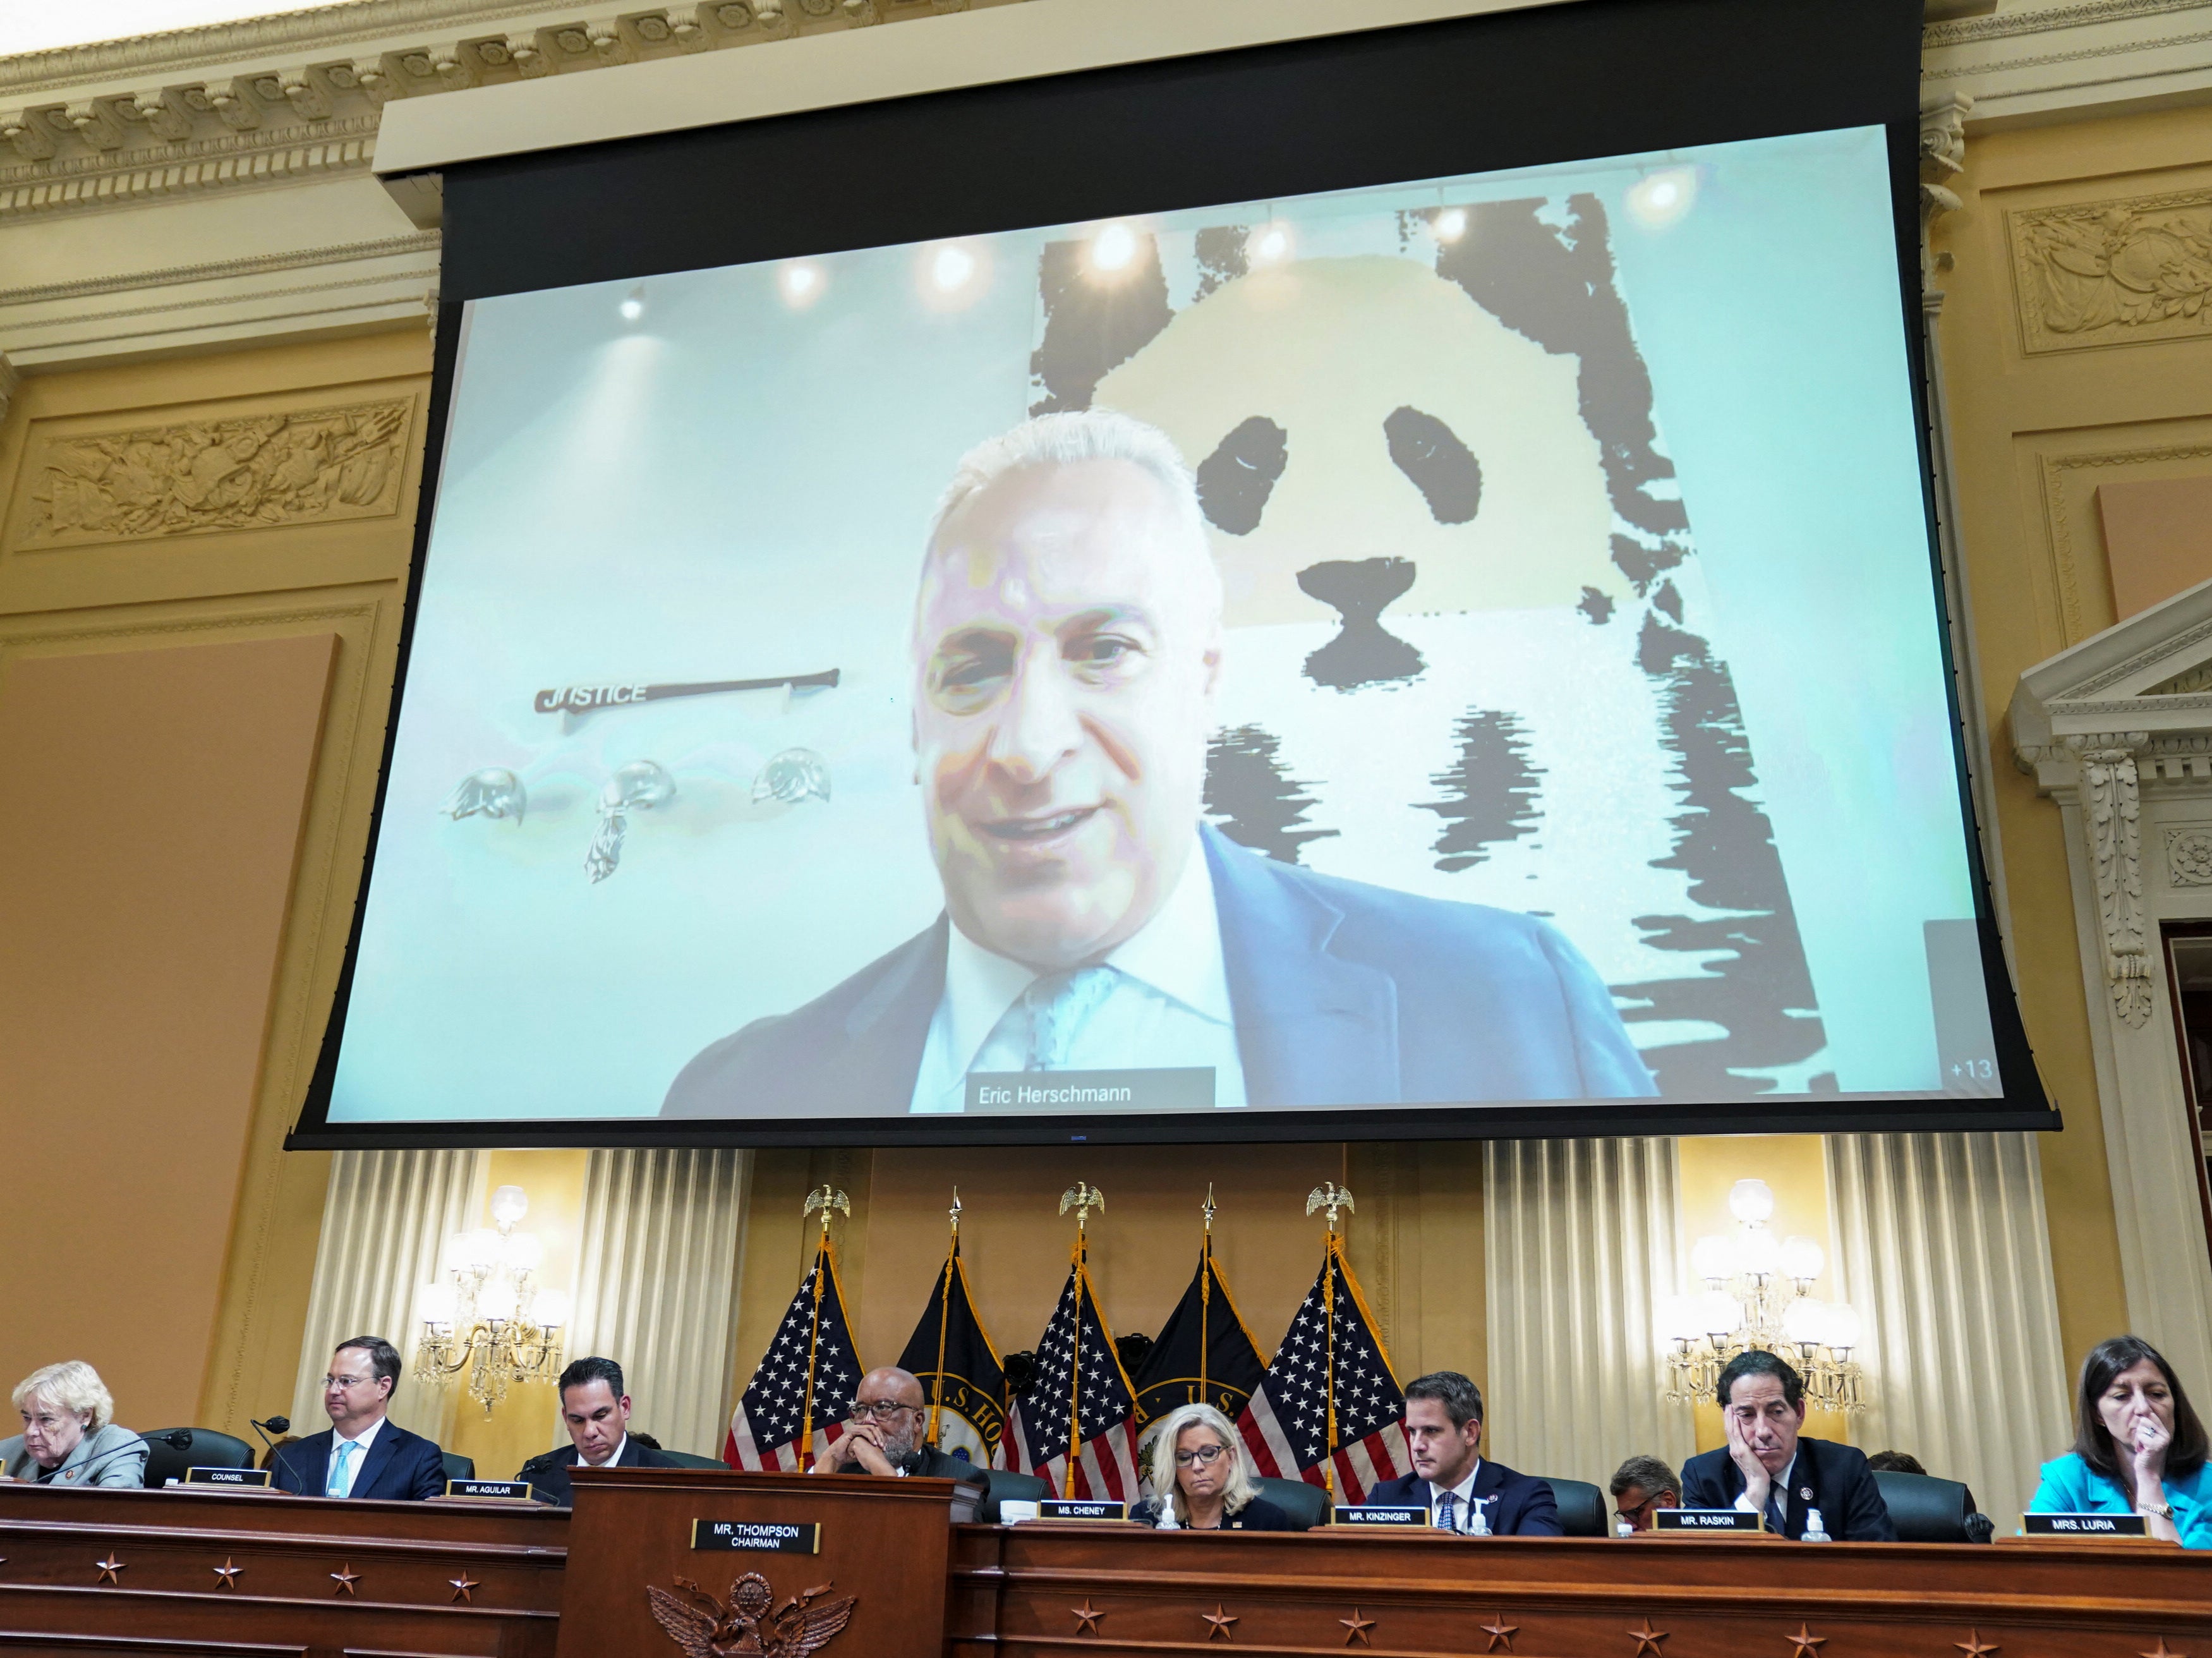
1344,996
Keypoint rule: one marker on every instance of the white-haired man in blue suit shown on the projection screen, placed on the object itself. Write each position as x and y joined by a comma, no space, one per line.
1067,649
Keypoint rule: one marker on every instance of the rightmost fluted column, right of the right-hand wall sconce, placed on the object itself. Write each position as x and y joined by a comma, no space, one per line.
1945,1248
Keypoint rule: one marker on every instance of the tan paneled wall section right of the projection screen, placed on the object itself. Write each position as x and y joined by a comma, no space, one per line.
2043,412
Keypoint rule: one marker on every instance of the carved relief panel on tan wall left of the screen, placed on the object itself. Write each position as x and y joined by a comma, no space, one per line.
216,474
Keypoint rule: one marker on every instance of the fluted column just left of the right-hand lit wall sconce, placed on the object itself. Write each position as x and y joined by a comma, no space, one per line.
1580,1243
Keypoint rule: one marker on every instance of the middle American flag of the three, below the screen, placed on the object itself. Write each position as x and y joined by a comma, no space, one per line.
1105,1403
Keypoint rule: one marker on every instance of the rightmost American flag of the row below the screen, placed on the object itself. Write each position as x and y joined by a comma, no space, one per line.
1288,1420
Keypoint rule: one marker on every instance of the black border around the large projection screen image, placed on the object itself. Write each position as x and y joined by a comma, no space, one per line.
1625,76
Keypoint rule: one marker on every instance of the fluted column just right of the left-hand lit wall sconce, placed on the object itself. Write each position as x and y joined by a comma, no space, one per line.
658,1286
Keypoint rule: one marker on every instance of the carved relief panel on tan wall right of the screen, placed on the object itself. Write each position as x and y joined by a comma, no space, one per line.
2114,273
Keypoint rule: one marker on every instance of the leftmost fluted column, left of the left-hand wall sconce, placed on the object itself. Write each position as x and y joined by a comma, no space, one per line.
386,1217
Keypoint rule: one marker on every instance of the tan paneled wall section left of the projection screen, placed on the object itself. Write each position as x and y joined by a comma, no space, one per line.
196,704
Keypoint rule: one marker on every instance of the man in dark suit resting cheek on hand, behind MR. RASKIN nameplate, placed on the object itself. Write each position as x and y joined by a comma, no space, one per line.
1771,1469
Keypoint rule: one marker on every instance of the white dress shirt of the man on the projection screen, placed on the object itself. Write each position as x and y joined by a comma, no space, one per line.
1169,1005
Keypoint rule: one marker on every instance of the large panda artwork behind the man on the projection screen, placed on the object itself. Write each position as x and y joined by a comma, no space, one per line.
1470,651
